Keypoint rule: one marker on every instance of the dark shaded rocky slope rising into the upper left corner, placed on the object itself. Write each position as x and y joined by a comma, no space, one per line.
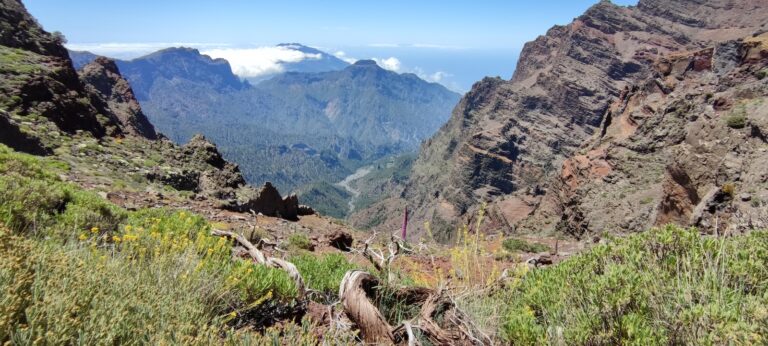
35,71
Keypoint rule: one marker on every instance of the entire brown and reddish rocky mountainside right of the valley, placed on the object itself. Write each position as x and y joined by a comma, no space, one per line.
511,143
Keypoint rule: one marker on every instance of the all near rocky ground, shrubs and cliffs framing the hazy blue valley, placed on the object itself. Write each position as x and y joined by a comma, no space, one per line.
111,233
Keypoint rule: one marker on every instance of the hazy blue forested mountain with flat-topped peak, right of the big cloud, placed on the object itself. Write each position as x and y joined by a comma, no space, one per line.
390,111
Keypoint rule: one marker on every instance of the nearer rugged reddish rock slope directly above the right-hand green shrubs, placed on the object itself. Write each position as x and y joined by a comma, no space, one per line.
674,150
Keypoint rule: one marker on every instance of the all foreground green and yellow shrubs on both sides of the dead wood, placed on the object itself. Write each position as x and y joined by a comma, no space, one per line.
78,269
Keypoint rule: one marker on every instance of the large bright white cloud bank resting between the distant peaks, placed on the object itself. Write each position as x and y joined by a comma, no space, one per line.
256,62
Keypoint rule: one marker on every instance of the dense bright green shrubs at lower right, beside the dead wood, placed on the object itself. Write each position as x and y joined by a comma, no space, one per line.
665,286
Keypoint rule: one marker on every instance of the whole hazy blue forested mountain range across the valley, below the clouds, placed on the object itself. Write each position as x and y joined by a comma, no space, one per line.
297,128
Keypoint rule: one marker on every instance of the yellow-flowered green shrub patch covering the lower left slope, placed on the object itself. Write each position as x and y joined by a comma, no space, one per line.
76,269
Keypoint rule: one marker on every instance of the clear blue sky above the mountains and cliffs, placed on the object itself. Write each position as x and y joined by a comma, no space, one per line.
451,42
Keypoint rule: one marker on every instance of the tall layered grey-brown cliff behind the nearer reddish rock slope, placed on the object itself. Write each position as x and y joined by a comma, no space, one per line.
506,138
